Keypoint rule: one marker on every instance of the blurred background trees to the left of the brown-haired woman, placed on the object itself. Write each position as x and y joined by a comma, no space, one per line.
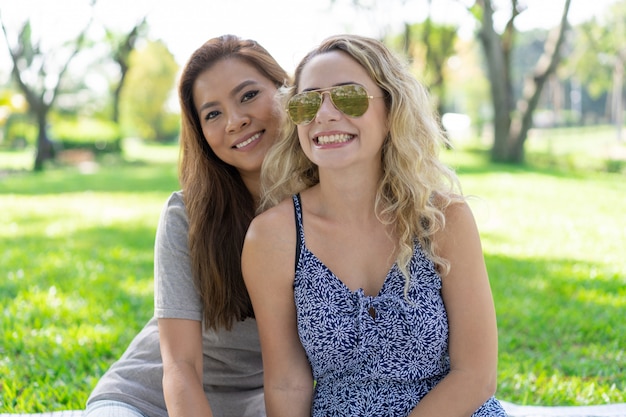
55,101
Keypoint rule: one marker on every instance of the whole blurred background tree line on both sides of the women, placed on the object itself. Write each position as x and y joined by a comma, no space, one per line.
505,80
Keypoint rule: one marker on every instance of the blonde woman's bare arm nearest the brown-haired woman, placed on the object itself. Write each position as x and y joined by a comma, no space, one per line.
268,267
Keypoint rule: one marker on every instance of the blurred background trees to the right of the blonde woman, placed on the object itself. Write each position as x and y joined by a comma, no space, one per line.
509,81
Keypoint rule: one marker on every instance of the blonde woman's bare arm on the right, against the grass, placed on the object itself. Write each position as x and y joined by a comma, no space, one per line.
473,344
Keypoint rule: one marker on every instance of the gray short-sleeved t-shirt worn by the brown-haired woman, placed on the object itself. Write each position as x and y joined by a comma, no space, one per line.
233,374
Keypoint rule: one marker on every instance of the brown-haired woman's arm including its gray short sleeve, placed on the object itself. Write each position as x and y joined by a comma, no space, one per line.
179,311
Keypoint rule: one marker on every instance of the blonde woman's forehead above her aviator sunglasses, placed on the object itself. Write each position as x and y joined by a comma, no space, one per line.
333,68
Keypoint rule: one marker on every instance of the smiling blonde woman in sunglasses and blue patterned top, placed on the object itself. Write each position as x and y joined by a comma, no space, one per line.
366,272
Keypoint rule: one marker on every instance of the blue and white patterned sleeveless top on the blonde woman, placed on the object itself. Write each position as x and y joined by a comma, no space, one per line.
372,356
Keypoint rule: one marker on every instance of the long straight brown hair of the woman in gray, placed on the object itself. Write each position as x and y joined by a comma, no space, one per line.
219,206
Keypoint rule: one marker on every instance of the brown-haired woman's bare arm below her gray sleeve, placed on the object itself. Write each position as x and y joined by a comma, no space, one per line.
181,350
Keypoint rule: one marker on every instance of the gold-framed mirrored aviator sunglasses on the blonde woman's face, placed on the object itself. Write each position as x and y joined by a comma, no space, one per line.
350,99
